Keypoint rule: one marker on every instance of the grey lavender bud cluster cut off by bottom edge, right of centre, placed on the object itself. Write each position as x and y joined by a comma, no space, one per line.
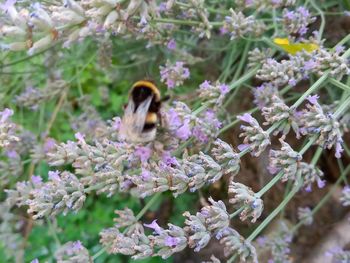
234,243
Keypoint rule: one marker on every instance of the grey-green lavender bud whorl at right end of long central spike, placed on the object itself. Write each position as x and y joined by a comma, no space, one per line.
226,157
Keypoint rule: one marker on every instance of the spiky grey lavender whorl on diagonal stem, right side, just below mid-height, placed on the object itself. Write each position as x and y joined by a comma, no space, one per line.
286,160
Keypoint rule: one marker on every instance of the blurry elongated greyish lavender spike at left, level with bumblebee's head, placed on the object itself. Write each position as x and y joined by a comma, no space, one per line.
32,97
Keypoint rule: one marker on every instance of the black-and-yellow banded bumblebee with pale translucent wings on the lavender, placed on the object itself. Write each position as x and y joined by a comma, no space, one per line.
142,112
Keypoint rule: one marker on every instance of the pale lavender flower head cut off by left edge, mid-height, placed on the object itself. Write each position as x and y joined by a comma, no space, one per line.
7,128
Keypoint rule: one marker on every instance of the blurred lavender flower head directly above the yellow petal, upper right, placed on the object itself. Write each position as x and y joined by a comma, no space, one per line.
296,22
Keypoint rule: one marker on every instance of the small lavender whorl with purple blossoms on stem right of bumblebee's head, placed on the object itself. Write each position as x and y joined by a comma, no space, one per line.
213,94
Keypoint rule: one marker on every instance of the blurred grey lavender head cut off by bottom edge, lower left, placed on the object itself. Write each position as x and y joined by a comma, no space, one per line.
72,252
